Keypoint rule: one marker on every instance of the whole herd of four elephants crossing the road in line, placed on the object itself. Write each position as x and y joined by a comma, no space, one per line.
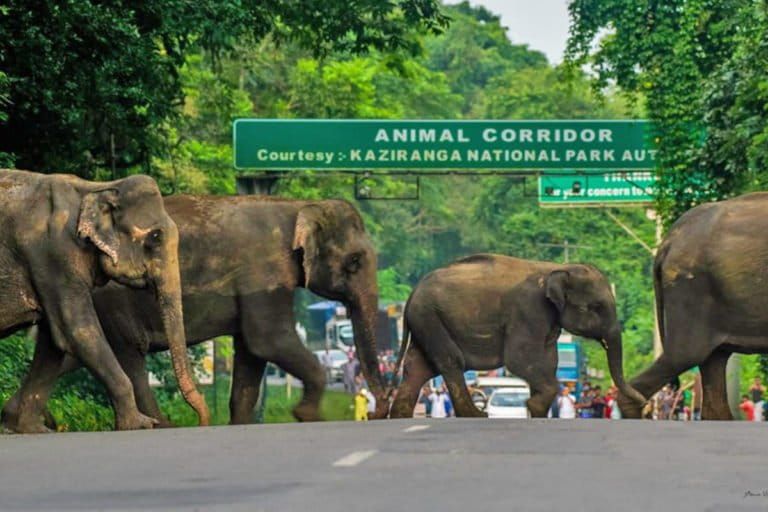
111,271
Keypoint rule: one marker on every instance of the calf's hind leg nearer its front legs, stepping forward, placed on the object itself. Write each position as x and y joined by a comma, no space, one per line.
446,358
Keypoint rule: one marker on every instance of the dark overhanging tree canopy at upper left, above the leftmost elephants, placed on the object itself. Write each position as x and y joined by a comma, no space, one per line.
95,85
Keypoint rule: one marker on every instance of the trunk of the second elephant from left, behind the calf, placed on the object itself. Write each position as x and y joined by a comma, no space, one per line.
363,313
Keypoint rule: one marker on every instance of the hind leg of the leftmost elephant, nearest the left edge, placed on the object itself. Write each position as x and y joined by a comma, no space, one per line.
25,410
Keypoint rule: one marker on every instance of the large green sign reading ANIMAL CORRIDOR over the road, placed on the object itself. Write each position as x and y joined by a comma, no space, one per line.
365,145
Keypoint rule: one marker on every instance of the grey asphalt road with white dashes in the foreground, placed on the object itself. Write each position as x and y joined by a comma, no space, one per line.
419,465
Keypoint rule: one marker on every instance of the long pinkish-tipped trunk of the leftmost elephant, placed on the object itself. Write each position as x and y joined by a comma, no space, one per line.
168,291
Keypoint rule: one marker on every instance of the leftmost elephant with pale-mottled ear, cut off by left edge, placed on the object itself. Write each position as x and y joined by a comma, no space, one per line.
60,238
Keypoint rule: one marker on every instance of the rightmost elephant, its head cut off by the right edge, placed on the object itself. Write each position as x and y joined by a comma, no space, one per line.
709,276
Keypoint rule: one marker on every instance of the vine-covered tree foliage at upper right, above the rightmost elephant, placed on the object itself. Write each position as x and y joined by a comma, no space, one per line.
699,66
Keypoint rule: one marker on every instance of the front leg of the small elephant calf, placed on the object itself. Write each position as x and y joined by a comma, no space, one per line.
536,363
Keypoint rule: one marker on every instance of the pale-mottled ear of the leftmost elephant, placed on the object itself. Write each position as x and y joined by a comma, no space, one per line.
96,222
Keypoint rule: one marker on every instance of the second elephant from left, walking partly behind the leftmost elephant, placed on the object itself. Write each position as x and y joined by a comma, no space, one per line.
241,260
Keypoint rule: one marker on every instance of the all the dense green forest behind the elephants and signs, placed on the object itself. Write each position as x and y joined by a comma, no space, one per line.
109,91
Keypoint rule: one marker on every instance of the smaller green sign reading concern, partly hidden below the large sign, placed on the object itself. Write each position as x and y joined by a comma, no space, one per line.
593,188
